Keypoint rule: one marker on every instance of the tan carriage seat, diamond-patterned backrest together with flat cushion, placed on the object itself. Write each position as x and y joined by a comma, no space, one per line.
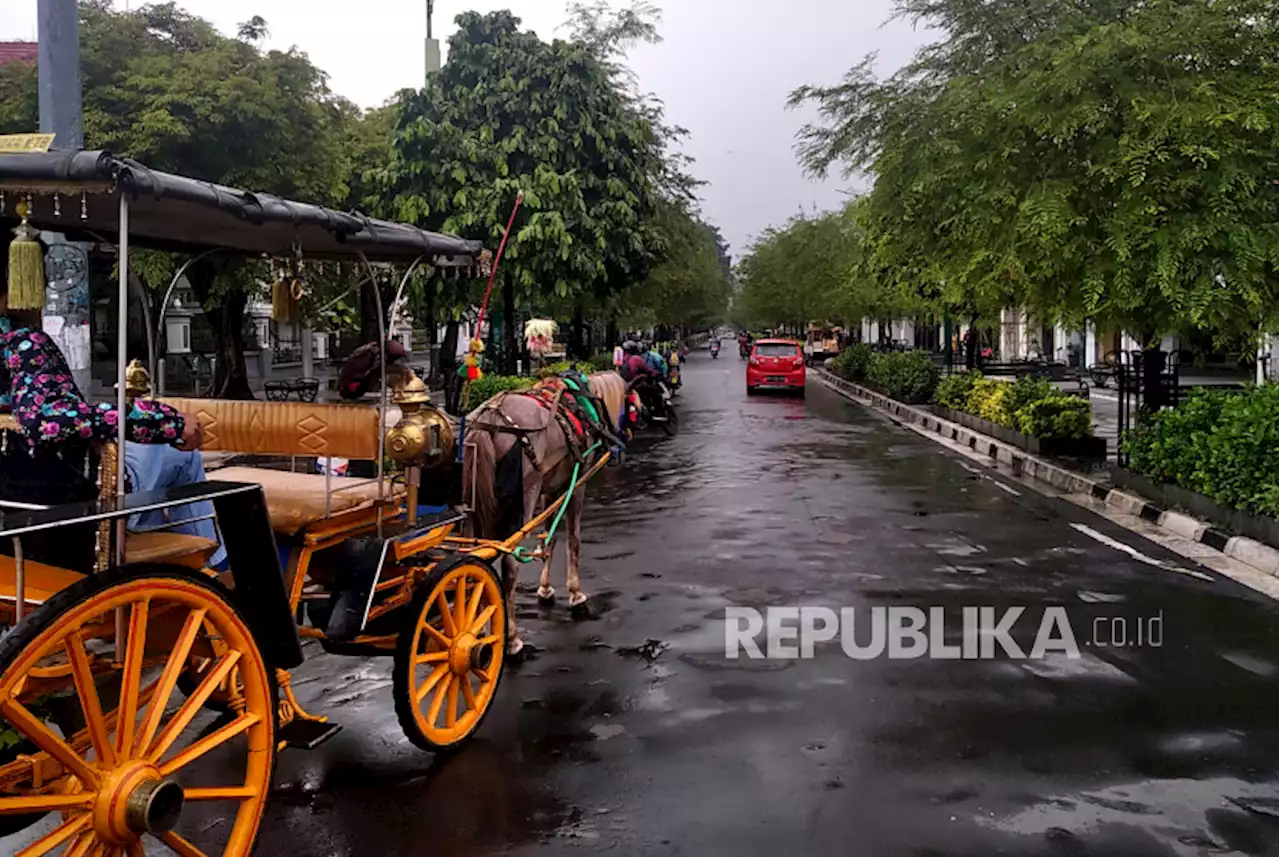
303,429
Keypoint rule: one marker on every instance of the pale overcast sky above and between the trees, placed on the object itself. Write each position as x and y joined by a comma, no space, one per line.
724,71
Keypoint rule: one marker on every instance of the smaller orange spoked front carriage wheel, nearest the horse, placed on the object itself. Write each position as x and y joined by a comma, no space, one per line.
450,657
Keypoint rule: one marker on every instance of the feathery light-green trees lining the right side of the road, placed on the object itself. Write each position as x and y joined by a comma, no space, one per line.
1114,161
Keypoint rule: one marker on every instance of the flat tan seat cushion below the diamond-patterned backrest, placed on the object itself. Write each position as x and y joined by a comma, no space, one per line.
298,501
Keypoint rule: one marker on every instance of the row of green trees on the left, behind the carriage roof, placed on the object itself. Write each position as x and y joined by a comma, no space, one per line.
610,223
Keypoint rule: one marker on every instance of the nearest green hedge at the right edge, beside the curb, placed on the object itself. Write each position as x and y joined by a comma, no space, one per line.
1217,443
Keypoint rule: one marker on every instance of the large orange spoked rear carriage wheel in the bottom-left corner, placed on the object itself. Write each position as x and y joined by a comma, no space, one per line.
147,767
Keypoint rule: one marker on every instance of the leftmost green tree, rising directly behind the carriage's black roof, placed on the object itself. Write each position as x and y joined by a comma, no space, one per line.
167,89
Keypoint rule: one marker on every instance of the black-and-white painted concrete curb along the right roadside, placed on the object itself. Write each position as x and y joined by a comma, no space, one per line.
1240,548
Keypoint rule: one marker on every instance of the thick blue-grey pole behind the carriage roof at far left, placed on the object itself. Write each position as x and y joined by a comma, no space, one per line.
61,114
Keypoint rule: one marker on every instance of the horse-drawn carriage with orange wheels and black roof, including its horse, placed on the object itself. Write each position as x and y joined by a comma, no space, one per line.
112,676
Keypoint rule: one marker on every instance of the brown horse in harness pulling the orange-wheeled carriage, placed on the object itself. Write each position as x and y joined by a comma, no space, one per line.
518,424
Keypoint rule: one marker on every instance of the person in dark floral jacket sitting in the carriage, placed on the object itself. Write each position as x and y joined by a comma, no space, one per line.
49,464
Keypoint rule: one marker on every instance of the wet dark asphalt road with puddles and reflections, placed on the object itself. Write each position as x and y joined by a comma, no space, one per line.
605,743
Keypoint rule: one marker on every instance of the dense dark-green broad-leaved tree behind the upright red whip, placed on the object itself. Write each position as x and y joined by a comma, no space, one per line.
511,113
